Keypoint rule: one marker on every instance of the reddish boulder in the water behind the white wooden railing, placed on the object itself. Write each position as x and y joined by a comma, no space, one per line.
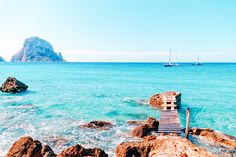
157,100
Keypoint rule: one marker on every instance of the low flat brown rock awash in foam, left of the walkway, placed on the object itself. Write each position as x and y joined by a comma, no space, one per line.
101,125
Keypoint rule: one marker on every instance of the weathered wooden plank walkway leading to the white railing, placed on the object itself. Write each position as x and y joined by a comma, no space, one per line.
169,122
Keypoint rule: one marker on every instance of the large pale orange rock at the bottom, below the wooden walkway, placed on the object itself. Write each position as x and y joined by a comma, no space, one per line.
160,146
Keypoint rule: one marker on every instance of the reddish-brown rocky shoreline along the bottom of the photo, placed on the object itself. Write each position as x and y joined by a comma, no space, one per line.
150,144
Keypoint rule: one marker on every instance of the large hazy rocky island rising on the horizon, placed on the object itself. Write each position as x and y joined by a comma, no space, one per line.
37,50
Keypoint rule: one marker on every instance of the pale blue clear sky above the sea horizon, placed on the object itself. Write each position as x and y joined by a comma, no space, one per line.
123,30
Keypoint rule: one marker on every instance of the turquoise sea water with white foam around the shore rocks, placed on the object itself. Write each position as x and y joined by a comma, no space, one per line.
61,96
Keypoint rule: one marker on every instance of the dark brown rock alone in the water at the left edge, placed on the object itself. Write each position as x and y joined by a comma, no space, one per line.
12,85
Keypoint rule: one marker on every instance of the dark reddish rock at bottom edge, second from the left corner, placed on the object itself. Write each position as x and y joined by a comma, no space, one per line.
79,151
